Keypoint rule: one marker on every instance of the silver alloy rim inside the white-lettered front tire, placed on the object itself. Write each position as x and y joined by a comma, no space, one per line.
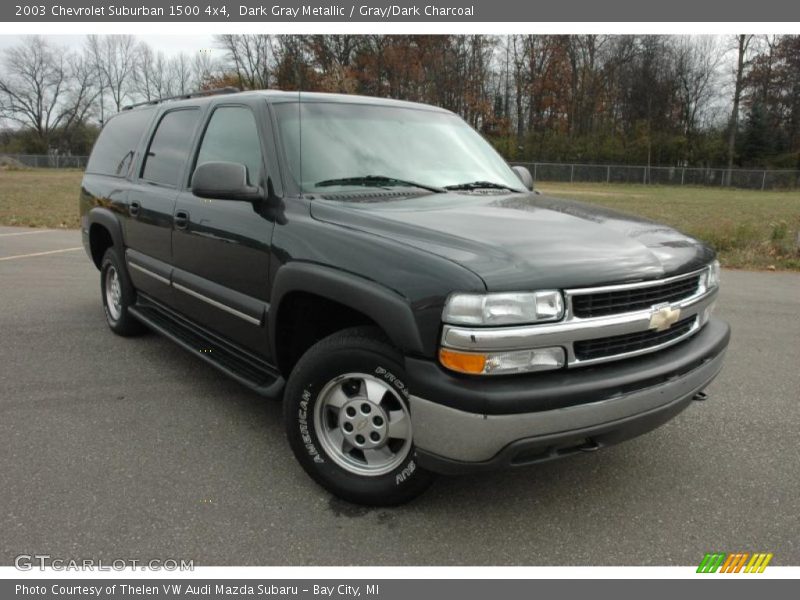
363,424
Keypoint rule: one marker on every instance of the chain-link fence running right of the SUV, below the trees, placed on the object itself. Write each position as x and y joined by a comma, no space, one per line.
758,179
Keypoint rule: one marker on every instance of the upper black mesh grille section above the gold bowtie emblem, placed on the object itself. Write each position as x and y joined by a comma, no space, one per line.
601,304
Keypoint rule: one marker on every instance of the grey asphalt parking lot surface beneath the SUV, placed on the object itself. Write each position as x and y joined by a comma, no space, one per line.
129,448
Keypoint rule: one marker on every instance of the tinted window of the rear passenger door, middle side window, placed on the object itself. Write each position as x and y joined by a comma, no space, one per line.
169,147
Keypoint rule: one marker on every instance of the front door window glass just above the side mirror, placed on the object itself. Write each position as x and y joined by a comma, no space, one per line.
232,136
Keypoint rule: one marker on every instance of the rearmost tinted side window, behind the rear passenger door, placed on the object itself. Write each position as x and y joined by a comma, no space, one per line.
114,150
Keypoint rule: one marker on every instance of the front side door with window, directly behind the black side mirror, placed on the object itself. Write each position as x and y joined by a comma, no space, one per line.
221,248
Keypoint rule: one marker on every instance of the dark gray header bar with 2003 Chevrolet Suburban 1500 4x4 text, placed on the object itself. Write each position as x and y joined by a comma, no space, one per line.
401,11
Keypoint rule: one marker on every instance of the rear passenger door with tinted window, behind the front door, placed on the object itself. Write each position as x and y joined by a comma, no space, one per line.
151,201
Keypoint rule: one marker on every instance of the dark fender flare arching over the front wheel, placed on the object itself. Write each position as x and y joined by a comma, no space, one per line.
387,308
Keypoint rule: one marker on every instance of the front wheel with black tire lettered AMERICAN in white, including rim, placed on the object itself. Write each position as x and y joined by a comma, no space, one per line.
348,422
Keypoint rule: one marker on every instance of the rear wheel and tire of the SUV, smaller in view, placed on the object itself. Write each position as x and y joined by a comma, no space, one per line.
118,296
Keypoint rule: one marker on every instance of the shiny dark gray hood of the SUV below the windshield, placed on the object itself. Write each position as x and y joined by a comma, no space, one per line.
516,241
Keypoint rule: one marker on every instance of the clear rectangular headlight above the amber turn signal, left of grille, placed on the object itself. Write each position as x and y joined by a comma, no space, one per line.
504,308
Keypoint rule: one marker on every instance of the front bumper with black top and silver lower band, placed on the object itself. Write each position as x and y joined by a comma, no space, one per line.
523,420
